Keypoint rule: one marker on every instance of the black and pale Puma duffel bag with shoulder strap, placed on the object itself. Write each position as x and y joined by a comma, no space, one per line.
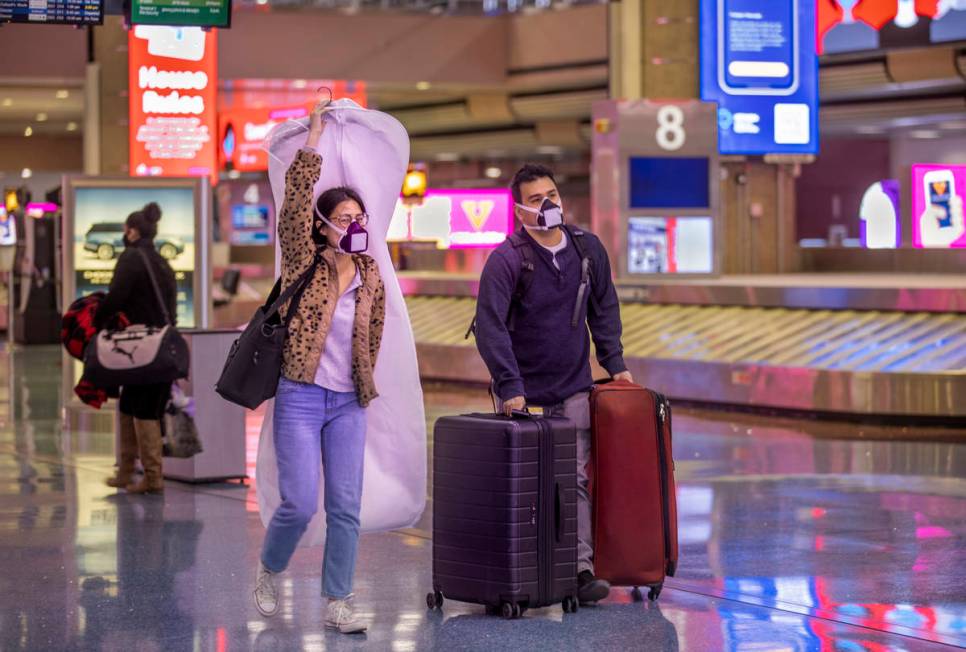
139,354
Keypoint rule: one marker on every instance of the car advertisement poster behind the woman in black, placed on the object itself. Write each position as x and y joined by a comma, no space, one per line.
99,215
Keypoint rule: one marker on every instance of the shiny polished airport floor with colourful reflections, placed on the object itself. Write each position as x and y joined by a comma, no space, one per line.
795,536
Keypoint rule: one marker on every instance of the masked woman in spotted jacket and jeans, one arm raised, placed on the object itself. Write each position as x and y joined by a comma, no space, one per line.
327,381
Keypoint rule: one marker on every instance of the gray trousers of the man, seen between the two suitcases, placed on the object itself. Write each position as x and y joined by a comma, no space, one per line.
577,409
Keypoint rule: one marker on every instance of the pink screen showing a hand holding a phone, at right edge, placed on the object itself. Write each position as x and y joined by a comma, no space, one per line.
937,205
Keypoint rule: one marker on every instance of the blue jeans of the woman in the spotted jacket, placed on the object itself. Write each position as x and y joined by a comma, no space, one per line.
315,427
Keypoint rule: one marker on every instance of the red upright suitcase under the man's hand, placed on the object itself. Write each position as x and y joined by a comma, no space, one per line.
635,512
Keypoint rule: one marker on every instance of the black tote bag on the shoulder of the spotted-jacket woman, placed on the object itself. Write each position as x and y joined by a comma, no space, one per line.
254,364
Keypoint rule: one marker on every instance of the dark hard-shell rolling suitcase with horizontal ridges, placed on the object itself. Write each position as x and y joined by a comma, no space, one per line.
505,512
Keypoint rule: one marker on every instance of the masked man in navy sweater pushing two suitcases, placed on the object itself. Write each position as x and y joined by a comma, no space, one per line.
539,292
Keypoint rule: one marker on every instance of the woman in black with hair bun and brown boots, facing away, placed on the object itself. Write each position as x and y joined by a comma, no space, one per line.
131,292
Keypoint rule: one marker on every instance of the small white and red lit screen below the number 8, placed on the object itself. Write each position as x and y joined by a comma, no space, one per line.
670,245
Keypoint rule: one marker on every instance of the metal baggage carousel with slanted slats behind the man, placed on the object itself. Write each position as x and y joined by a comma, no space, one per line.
883,345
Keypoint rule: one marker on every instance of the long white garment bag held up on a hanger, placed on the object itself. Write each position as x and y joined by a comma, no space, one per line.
369,151
